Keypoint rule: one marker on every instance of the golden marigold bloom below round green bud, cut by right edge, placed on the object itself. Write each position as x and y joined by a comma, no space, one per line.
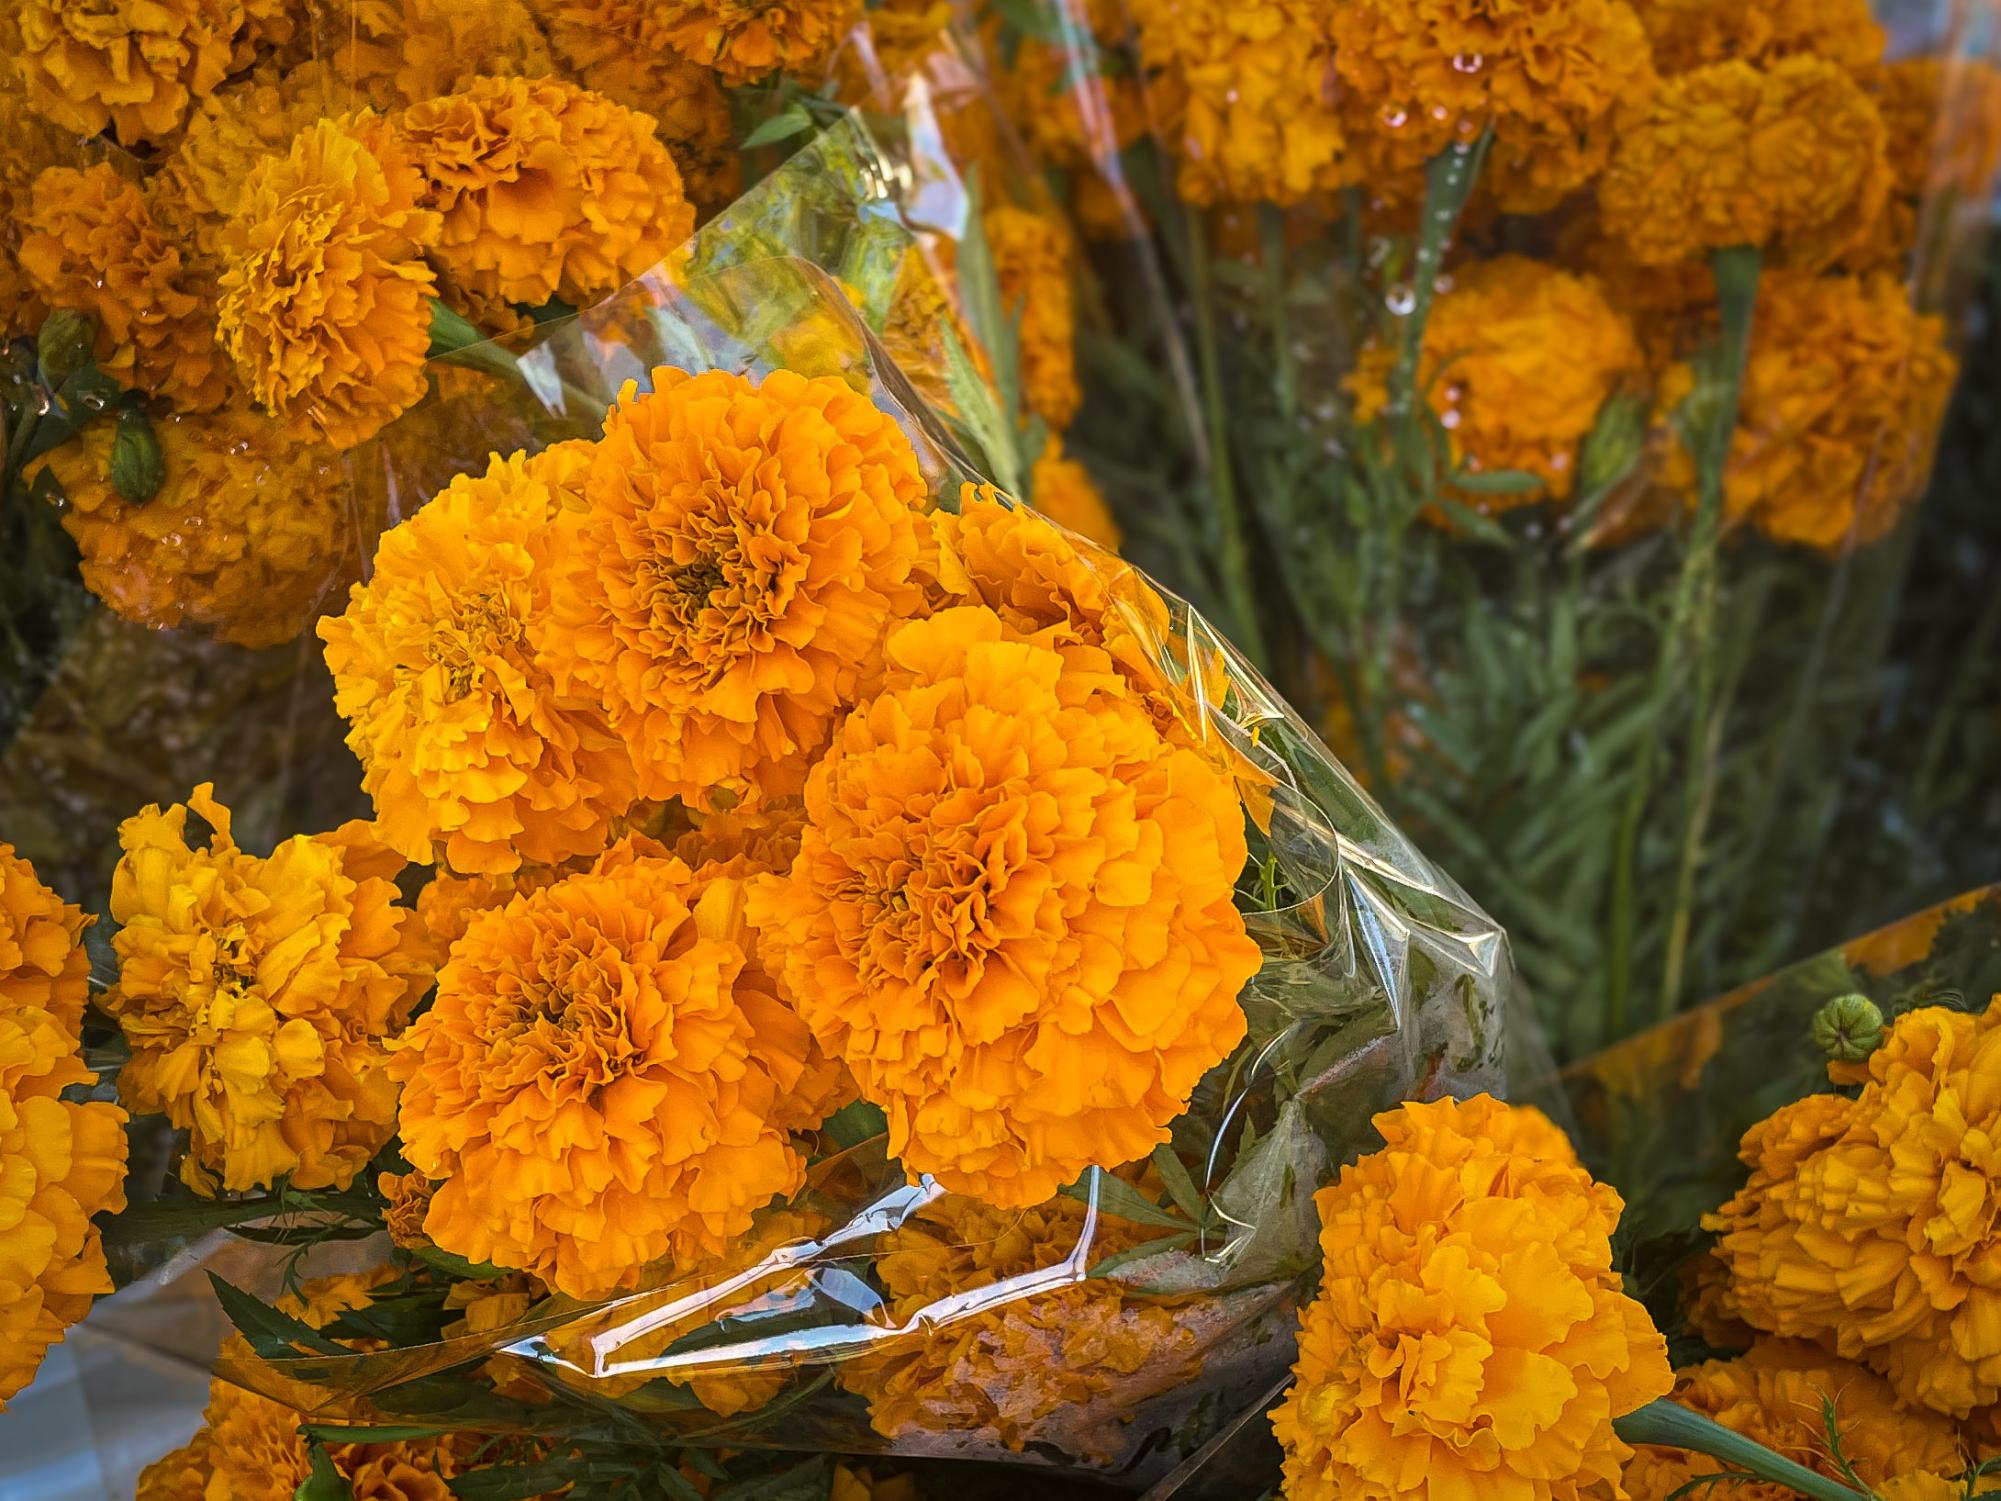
1868,1226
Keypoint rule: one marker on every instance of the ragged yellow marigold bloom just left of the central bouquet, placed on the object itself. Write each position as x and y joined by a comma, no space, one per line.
257,996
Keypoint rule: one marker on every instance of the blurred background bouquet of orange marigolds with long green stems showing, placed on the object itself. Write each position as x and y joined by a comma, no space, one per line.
1544,393
